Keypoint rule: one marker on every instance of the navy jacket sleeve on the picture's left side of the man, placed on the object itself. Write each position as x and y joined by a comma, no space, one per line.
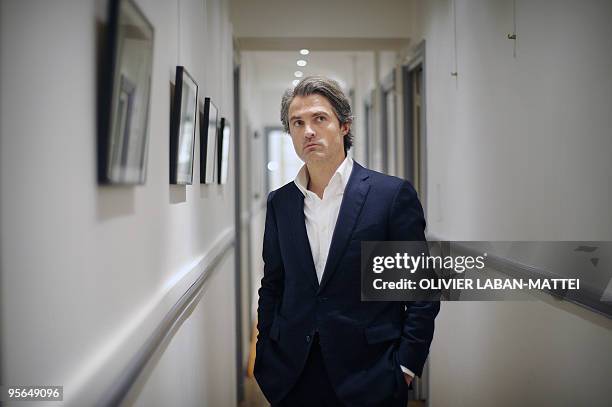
271,289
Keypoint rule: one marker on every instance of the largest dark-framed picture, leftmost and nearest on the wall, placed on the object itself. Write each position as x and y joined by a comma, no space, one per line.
125,90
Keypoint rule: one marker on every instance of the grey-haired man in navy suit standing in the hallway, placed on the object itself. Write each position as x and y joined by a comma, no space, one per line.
318,343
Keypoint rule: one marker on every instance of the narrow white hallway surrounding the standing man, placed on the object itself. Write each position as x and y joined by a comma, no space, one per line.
133,192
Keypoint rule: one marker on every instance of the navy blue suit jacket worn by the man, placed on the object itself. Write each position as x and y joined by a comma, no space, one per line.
363,343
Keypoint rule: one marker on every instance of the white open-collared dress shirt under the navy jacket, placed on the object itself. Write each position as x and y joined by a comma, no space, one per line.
321,214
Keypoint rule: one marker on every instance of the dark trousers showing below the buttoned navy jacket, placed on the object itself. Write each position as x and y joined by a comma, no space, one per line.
313,388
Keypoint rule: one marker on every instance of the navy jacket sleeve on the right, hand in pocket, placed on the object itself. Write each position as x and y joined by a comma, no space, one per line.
407,222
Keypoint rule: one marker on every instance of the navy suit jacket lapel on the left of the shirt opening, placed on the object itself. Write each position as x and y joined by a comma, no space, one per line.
300,235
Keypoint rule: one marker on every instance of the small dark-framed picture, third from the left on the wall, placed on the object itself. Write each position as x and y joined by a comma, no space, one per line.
208,142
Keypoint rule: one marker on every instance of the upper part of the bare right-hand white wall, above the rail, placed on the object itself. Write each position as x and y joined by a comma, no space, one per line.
519,147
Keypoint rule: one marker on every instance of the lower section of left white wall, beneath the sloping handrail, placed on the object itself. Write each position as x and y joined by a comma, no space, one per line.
196,369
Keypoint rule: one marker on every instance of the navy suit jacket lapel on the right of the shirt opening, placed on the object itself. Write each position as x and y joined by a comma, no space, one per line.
354,196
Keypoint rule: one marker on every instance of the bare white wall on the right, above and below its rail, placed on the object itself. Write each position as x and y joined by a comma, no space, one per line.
519,149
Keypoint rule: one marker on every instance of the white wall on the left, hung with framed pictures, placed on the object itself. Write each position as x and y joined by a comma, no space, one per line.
84,267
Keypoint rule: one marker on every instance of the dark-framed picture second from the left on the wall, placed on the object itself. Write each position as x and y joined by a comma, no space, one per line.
183,127
